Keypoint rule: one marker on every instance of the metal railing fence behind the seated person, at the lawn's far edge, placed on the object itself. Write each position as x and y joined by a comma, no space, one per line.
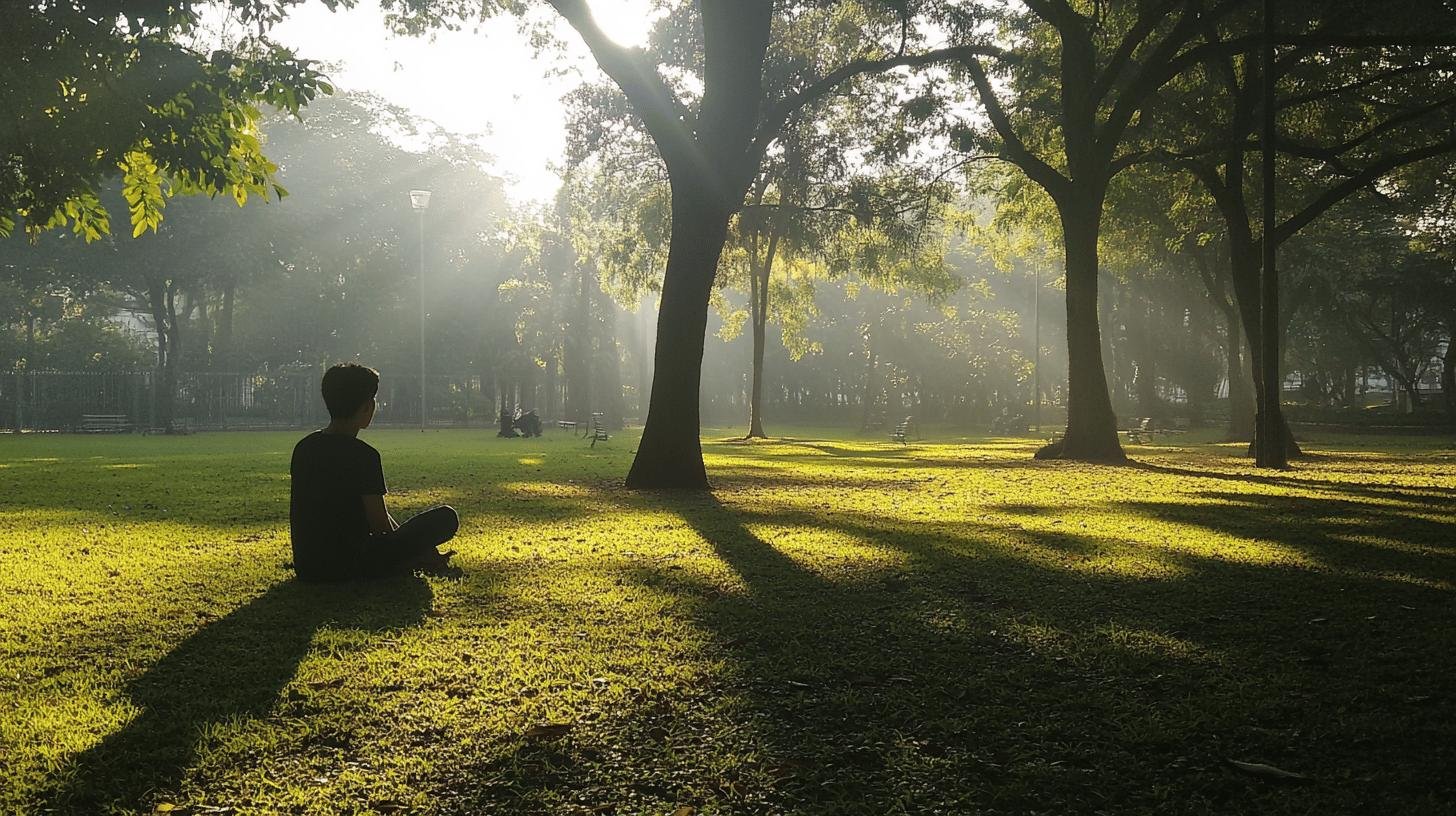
60,401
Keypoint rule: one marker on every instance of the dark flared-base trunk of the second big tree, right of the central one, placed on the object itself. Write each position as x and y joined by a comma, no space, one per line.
1091,423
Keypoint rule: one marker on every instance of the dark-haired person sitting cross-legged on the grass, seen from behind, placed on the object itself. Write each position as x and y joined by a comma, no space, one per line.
339,521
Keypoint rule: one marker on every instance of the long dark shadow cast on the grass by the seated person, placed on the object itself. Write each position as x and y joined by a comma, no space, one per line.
231,670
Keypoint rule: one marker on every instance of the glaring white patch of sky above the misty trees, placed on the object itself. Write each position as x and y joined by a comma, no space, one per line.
487,82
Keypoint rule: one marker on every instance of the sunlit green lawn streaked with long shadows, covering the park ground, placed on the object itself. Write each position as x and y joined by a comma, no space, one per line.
844,627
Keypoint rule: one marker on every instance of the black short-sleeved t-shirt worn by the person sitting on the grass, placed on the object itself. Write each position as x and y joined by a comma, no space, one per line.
327,517
